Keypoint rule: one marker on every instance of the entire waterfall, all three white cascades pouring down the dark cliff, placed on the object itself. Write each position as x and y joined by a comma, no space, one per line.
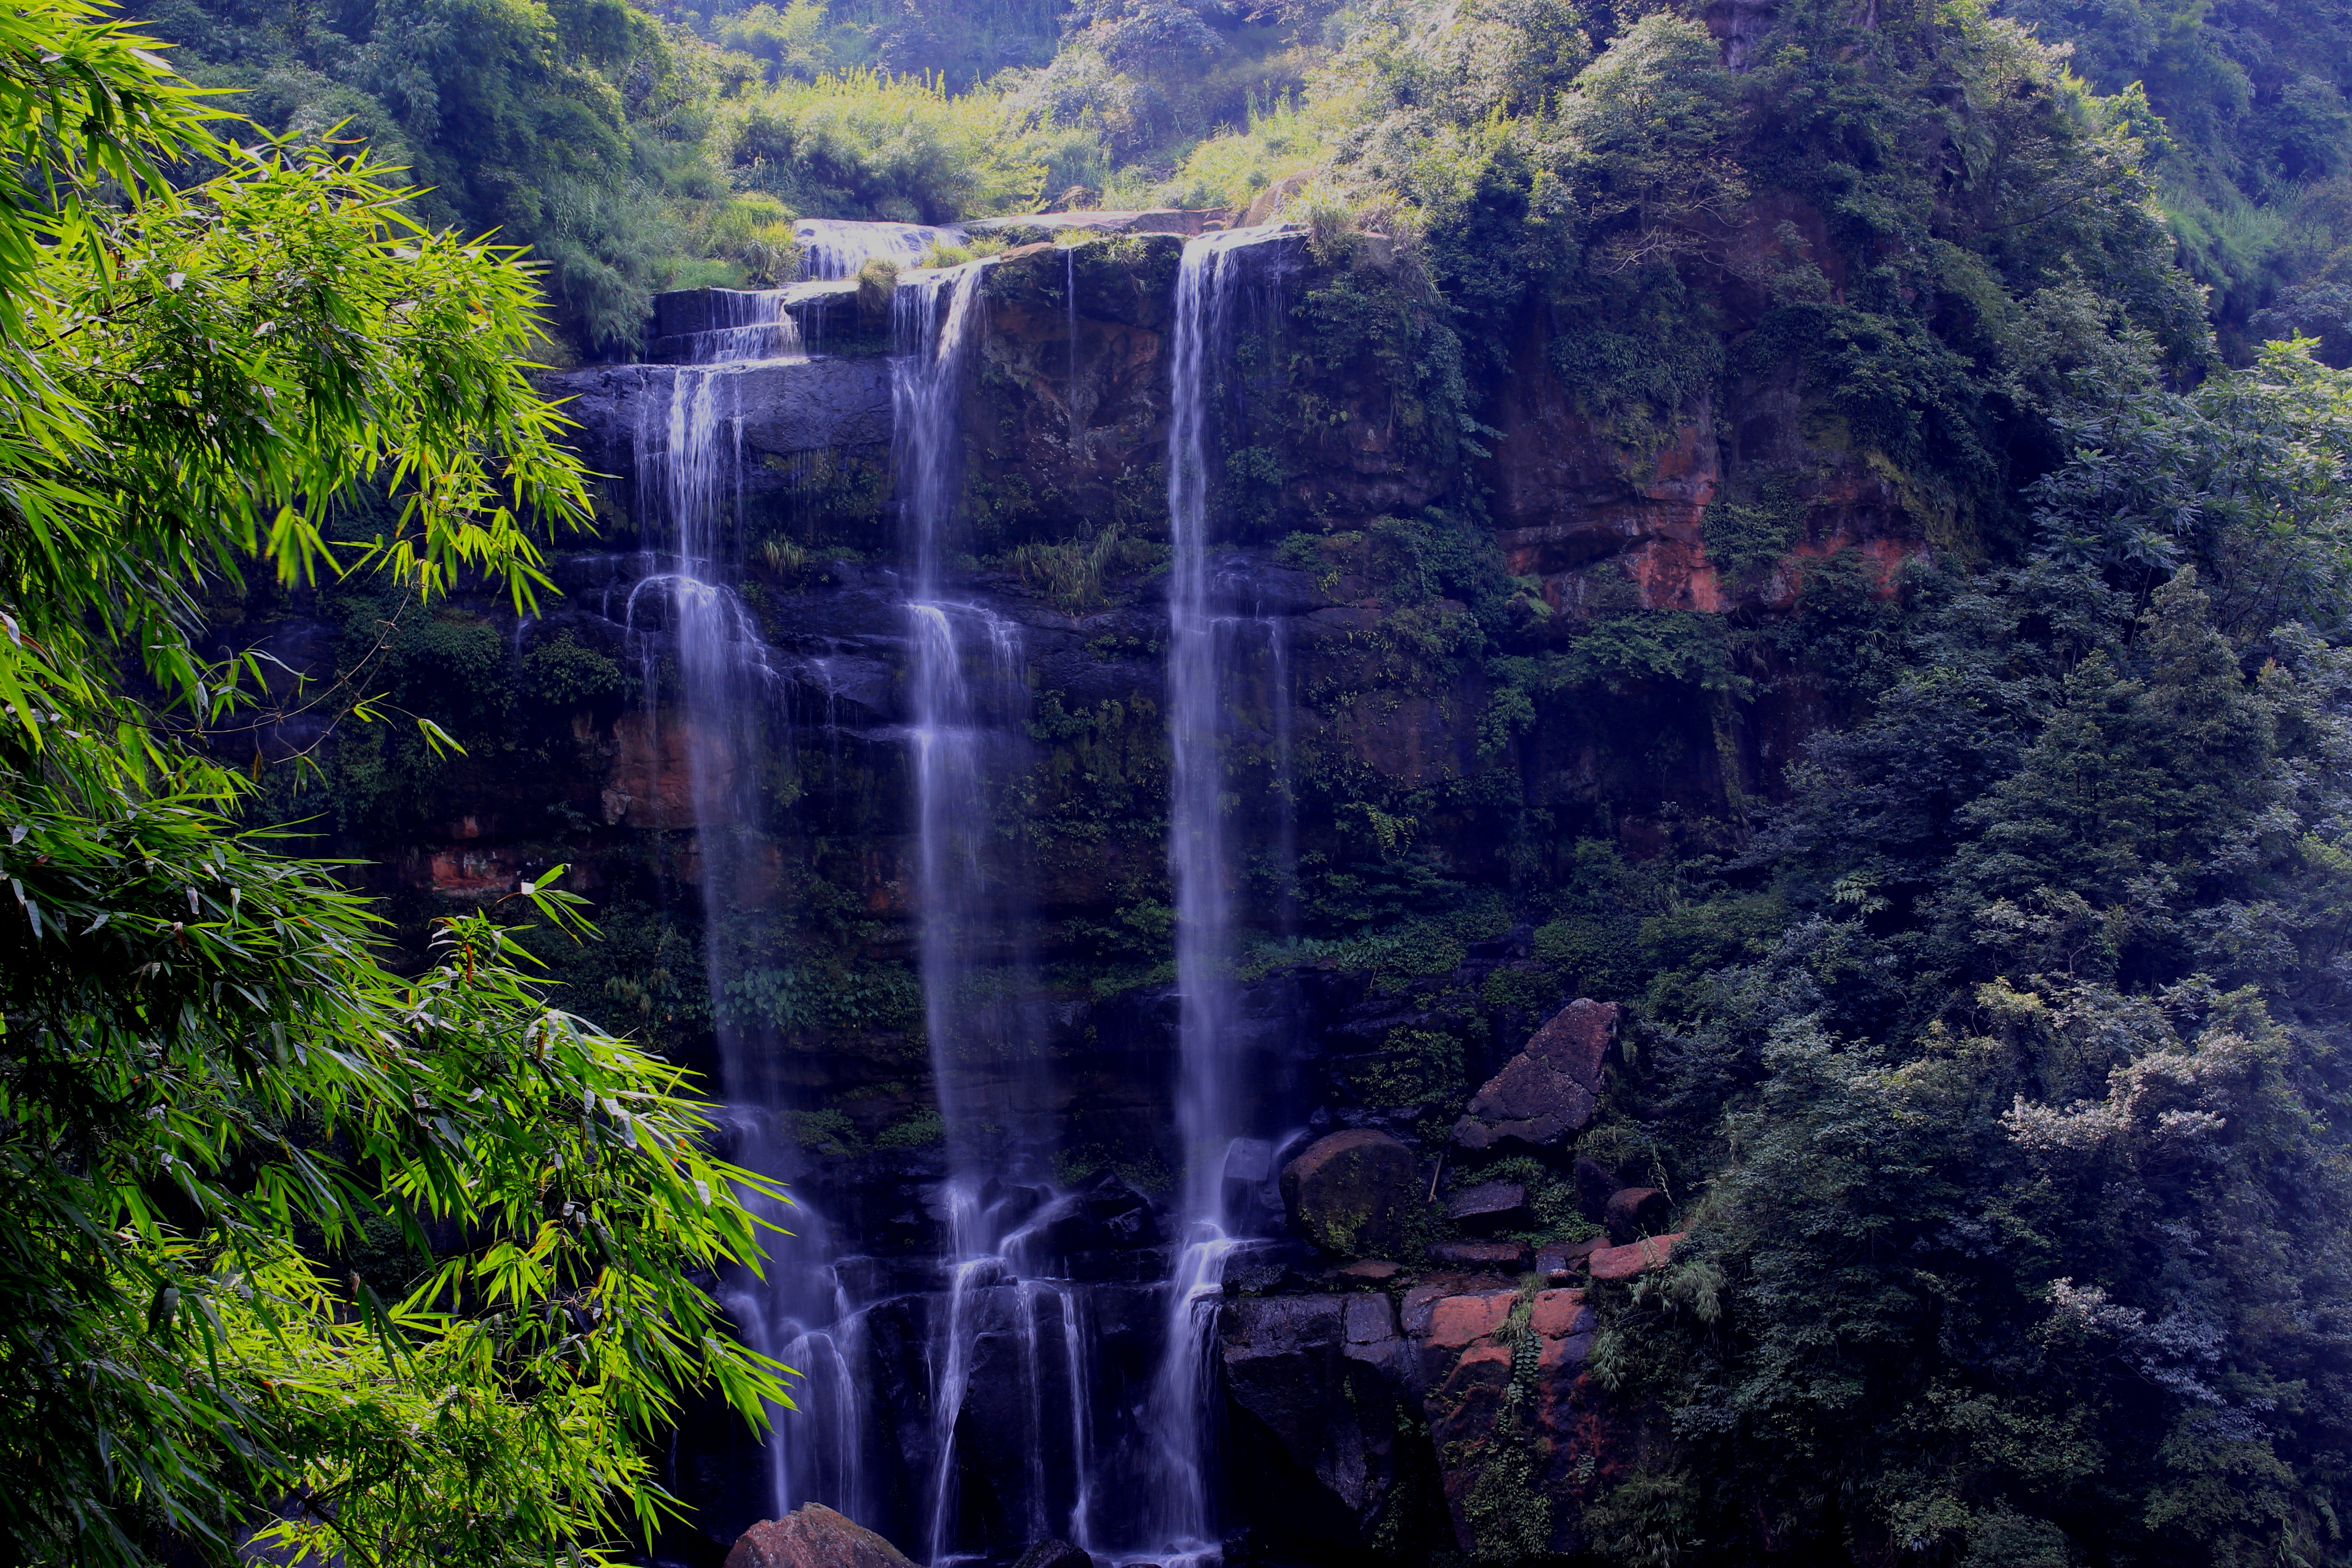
1001,1388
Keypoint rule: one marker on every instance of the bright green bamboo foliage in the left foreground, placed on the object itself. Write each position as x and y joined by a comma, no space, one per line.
213,1085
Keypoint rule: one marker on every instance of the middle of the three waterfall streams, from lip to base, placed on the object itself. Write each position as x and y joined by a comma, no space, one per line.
968,699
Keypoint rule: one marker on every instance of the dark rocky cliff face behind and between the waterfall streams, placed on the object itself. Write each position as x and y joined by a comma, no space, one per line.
1379,1400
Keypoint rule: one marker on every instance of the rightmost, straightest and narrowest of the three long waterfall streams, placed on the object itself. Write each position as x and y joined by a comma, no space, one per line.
1201,869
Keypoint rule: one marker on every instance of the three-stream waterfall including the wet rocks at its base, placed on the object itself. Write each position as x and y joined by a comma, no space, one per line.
1123,1468
